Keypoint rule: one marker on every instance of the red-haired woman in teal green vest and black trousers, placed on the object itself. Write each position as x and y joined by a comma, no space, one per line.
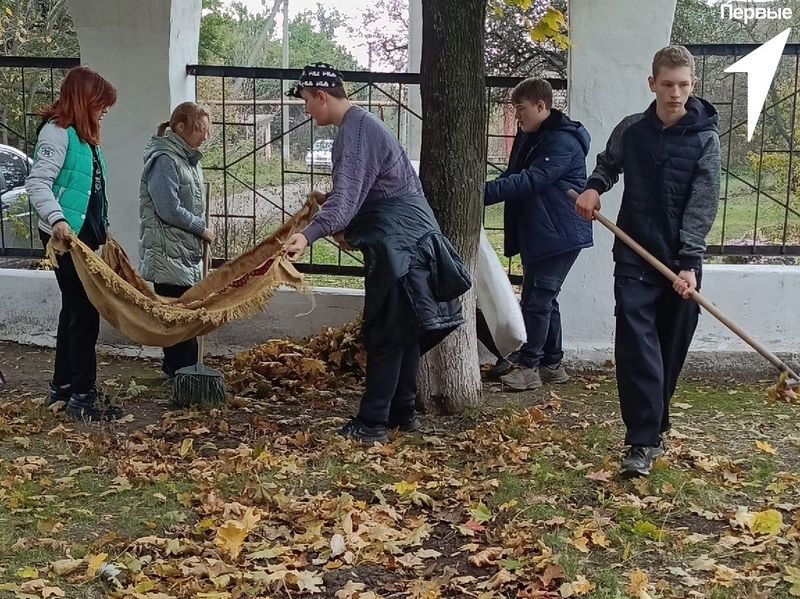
67,187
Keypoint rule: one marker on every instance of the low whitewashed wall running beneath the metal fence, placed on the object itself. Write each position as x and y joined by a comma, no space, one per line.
760,298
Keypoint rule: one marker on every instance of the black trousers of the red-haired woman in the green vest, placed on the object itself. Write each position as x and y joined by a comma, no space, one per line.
78,328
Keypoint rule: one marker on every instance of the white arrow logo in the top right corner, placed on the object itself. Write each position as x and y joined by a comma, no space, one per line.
760,66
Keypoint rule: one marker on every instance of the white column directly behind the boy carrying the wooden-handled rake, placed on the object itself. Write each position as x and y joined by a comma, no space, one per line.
608,70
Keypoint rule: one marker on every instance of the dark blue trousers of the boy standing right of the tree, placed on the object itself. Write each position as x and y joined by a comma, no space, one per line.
541,284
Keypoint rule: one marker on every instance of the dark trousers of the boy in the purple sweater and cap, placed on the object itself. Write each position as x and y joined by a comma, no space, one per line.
390,390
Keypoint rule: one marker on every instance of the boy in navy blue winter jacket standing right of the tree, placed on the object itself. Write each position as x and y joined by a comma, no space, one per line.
548,158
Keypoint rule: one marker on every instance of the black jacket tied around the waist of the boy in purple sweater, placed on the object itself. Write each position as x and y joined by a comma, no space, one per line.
414,276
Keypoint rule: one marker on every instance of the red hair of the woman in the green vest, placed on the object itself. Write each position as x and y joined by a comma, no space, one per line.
84,95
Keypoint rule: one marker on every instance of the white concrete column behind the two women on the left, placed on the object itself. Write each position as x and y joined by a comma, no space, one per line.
142,48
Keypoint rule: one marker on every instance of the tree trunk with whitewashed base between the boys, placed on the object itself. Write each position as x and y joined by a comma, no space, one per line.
452,169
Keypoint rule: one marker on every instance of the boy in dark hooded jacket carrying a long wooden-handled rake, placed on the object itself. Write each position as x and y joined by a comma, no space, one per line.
671,158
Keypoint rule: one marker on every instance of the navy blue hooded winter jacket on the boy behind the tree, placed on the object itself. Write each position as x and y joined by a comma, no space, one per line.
540,219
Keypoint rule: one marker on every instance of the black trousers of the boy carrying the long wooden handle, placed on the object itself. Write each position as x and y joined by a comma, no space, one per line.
653,332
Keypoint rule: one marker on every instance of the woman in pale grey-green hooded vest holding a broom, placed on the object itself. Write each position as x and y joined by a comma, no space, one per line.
172,203
